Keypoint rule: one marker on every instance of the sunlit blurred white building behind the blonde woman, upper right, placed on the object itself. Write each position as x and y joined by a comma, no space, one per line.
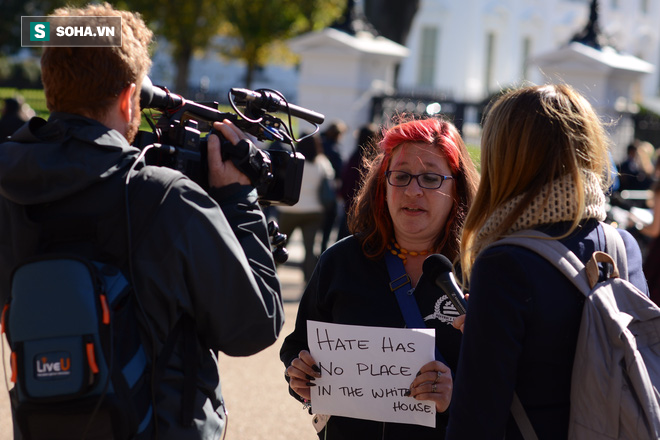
472,48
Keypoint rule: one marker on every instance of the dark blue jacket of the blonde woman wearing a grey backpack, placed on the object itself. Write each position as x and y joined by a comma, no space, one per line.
520,335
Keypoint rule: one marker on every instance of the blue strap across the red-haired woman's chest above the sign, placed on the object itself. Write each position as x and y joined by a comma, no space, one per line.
402,287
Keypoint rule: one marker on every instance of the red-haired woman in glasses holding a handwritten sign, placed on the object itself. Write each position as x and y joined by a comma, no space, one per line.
414,196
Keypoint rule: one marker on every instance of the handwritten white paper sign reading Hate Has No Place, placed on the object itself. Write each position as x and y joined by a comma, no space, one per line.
366,371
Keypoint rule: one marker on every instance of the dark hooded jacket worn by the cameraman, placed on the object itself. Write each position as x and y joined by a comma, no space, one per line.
196,254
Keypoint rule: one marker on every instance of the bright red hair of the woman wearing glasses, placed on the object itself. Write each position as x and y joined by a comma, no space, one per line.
370,219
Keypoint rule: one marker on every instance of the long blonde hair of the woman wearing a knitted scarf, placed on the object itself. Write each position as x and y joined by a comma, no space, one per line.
531,137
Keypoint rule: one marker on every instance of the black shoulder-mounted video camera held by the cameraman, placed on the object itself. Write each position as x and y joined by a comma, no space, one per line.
176,140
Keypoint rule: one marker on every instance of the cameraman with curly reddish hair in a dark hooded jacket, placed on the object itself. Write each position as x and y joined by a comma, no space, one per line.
196,257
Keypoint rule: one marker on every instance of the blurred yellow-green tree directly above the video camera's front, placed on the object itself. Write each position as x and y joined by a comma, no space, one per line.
256,29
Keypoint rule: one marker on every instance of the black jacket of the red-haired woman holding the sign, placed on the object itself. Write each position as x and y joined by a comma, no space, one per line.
348,288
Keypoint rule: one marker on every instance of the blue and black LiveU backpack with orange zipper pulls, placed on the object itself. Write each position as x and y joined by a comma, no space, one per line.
79,367
